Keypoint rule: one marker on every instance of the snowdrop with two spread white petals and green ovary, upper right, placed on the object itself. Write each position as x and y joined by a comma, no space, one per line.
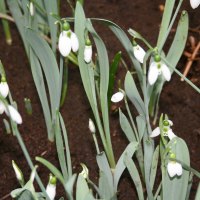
157,68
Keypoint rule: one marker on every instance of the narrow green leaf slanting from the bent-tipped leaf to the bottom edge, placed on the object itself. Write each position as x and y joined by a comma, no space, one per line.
134,175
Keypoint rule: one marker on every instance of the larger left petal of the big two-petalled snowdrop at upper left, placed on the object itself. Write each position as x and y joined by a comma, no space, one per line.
64,44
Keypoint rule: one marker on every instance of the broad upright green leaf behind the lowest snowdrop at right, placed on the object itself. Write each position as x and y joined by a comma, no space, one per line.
176,187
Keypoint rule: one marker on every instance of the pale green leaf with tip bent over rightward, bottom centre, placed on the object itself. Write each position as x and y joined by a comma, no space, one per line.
120,167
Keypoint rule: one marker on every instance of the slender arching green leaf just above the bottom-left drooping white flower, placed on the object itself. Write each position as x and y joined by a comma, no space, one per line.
52,168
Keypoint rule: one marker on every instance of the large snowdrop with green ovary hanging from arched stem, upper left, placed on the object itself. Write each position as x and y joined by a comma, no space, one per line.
67,41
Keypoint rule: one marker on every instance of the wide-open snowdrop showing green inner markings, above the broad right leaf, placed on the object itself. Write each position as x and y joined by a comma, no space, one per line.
167,131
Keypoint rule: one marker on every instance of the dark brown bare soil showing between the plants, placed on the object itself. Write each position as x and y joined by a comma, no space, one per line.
178,99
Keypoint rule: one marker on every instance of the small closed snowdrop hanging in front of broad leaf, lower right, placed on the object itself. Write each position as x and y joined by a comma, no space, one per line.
174,168
